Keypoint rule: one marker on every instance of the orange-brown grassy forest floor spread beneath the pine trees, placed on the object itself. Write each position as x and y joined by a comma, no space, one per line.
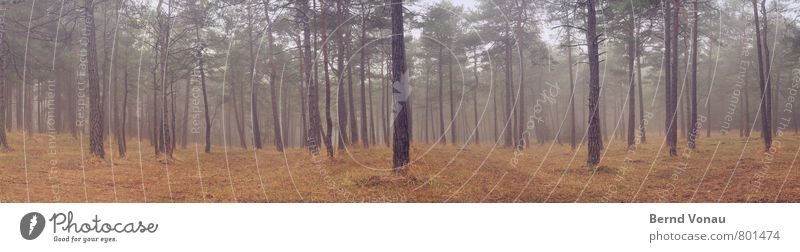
722,169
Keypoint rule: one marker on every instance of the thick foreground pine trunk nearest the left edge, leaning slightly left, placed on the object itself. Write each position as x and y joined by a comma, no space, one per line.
95,100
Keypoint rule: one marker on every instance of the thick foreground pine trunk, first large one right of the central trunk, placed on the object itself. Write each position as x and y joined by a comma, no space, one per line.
595,137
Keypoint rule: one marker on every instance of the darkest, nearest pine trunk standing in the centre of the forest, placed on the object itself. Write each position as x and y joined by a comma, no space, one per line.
400,90
